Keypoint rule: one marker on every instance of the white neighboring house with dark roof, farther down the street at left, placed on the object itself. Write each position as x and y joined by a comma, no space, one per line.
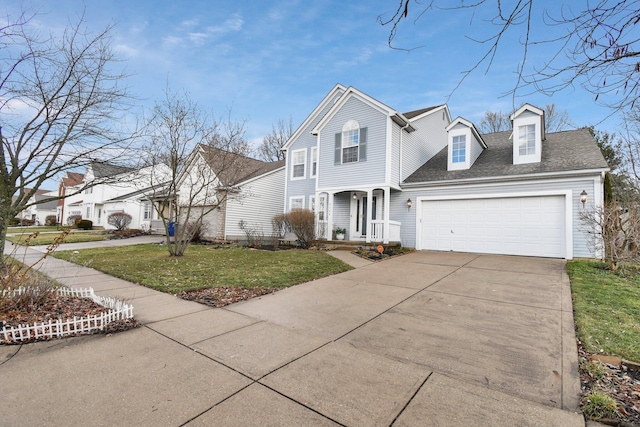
111,188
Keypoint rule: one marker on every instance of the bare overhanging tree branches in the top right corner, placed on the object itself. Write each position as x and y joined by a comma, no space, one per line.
594,45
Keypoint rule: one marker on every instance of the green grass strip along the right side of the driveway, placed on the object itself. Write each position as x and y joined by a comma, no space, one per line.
607,308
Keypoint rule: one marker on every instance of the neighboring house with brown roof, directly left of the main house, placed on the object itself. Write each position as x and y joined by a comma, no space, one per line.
231,188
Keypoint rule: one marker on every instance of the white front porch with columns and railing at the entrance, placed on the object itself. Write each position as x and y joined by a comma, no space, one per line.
363,213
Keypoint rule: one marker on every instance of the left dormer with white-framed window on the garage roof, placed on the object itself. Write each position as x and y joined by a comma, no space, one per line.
464,144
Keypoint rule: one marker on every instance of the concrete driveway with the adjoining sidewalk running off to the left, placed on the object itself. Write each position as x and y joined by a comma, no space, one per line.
424,339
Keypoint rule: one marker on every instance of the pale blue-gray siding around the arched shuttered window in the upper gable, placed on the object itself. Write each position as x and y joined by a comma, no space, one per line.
354,174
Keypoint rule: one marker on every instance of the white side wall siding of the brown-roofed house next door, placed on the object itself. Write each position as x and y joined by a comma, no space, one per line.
261,202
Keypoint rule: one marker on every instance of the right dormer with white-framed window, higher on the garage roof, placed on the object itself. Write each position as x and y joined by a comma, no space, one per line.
528,133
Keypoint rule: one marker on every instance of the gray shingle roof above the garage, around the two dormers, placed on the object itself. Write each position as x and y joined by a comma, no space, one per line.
561,152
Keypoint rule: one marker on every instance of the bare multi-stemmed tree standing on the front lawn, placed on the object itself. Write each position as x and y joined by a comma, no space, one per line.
206,158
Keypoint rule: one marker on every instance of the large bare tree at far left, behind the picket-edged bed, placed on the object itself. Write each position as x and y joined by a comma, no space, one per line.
59,101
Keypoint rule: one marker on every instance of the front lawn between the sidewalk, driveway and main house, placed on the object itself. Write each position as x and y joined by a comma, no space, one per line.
206,266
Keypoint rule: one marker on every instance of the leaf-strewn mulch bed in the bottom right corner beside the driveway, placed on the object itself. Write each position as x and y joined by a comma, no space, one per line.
619,382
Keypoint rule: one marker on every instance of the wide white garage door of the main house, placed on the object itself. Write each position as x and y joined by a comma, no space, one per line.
531,226
